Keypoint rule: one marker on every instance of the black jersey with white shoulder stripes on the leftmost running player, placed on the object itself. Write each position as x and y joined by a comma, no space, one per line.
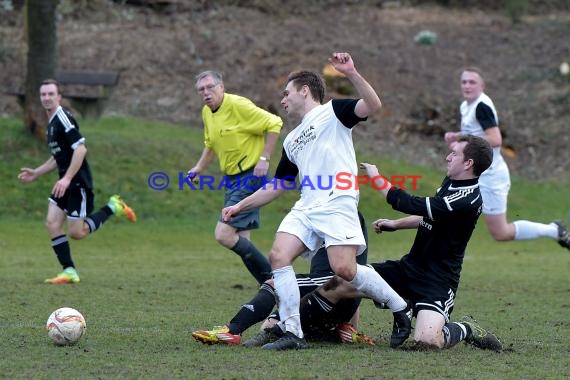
63,137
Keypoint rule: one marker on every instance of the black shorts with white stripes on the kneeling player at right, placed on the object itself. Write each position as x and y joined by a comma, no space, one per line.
422,294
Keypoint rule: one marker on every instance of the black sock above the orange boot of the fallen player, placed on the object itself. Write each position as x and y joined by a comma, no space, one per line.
254,311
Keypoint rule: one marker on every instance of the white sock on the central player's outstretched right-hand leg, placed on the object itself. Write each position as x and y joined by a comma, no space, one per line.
369,282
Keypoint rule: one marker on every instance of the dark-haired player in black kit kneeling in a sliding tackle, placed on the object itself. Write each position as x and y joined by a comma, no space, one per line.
428,276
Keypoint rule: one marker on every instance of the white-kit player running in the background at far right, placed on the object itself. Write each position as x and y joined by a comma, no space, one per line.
479,118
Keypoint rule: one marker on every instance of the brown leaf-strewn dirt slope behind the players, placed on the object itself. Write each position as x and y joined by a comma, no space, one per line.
158,54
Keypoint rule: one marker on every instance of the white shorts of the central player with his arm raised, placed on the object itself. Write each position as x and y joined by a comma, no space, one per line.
333,223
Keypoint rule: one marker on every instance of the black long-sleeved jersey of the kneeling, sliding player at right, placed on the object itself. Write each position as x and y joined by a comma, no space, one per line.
449,218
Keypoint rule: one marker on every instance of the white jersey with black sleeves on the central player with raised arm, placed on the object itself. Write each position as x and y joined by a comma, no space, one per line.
321,147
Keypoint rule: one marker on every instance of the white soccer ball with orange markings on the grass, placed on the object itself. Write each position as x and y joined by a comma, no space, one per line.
65,326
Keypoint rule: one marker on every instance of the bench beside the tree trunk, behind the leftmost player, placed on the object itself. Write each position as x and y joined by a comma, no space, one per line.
87,91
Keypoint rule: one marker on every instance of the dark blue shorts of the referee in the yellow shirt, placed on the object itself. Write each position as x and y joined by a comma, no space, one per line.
238,187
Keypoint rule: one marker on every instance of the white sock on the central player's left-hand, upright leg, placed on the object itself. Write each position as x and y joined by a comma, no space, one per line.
289,299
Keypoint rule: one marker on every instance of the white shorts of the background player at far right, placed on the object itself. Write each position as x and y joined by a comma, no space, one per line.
495,184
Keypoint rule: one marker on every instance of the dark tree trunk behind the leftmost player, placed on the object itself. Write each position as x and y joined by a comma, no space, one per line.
41,32
